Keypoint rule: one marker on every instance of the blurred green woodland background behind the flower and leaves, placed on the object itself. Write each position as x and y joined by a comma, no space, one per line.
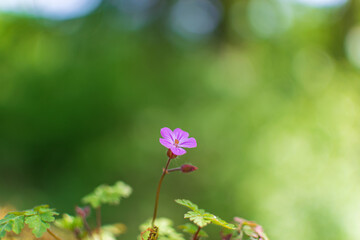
269,88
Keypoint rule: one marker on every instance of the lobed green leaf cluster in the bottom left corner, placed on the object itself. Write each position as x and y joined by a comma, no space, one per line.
38,219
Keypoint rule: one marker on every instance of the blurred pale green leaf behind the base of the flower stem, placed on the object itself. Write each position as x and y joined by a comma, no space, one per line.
166,230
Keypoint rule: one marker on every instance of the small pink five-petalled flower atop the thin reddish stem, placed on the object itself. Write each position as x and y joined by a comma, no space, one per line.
176,140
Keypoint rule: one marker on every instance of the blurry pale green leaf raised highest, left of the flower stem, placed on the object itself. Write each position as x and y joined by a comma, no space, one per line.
105,194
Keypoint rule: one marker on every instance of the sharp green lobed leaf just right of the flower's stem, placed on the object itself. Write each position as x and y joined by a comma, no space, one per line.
200,217
